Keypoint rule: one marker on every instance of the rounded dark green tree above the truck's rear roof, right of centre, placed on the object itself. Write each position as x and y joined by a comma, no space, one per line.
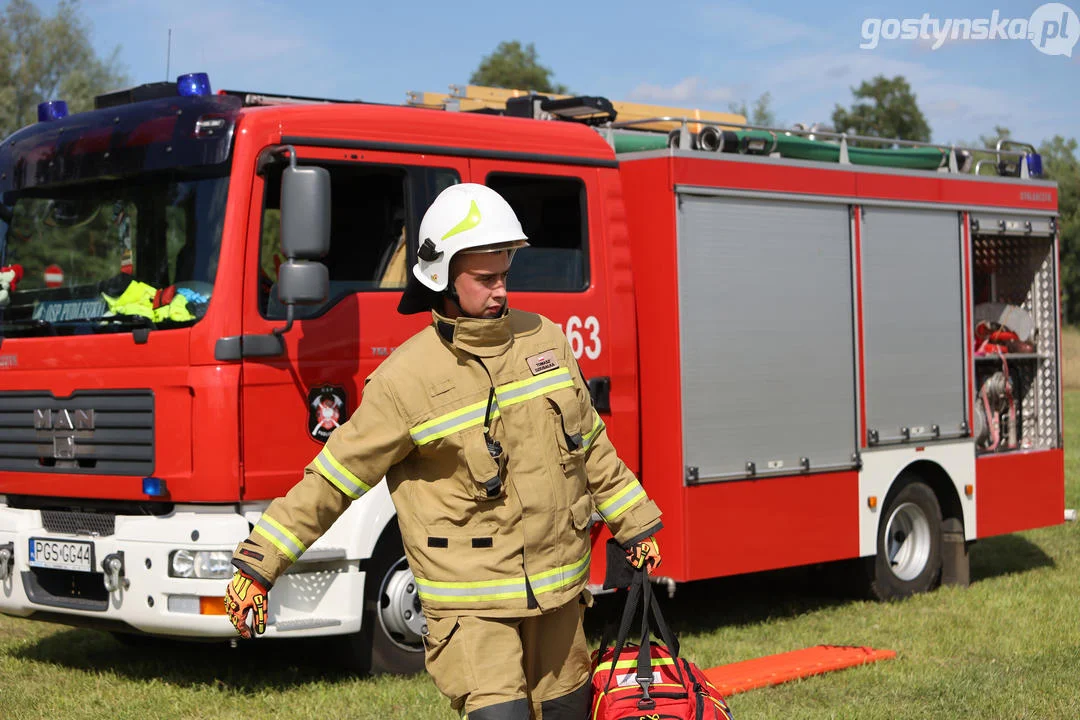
884,108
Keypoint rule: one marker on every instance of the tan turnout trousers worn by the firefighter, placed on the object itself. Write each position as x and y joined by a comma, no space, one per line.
514,669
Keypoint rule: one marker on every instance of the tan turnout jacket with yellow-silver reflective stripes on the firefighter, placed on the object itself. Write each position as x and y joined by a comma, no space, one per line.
422,426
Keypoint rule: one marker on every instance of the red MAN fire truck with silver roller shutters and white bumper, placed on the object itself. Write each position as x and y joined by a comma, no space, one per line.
809,348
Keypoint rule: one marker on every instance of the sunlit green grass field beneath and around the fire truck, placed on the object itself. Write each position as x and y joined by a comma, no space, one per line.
1007,647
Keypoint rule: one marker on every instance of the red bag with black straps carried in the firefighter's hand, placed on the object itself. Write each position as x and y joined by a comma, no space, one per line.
650,680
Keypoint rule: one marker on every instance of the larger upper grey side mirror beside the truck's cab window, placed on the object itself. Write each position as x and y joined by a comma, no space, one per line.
305,212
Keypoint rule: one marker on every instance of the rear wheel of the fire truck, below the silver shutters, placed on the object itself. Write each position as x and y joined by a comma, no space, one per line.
909,546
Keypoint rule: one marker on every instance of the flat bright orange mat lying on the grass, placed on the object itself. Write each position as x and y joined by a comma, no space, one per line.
774,670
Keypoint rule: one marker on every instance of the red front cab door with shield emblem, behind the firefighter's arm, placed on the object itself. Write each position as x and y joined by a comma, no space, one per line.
292,403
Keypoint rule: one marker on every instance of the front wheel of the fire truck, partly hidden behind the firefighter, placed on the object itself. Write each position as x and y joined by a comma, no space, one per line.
390,641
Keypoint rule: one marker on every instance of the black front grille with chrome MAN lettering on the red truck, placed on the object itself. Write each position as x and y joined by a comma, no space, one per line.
90,432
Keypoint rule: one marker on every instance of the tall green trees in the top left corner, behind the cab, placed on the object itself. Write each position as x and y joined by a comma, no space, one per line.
47,59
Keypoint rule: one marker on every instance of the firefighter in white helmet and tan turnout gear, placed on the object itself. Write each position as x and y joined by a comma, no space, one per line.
496,460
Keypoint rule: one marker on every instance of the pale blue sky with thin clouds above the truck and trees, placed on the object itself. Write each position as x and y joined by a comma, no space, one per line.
705,55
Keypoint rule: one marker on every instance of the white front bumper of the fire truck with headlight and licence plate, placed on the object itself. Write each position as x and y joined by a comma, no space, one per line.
322,595
